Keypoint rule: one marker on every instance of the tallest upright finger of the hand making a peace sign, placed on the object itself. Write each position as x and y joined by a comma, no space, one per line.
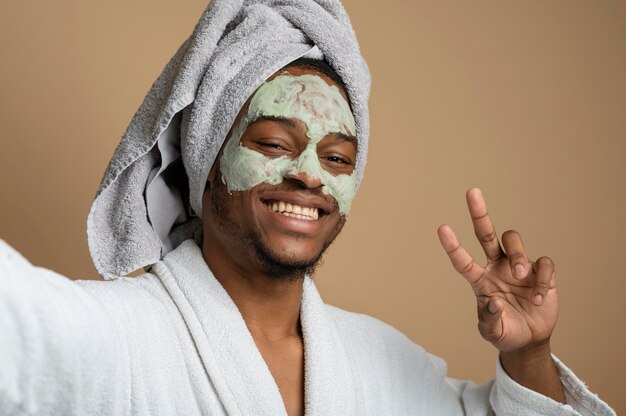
483,228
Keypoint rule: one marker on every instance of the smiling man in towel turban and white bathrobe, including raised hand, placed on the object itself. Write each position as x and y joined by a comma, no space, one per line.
236,326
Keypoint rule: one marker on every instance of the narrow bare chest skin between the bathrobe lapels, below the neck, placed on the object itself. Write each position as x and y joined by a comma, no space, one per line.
285,359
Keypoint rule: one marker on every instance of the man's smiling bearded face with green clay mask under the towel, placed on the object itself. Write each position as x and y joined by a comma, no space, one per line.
283,181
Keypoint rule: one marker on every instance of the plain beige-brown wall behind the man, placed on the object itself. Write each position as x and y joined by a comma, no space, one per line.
525,99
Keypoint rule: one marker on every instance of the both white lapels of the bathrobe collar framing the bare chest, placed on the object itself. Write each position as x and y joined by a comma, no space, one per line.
234,364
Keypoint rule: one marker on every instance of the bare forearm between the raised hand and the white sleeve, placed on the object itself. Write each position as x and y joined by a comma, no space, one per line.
534,369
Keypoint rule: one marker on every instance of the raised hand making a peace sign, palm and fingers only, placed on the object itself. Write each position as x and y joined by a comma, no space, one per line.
517,298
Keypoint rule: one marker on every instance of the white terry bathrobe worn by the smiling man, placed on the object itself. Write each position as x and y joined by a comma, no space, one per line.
172,342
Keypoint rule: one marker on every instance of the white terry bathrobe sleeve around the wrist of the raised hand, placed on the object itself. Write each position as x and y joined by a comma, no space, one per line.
504,396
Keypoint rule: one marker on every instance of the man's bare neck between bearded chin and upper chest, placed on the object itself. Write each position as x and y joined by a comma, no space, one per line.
270,306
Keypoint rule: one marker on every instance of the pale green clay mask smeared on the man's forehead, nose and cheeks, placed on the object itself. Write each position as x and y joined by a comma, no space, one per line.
321,108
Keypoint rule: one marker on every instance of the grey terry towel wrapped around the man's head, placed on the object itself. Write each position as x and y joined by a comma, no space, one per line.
150,199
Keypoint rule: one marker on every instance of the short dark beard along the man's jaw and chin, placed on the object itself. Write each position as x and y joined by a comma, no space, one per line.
275,266
